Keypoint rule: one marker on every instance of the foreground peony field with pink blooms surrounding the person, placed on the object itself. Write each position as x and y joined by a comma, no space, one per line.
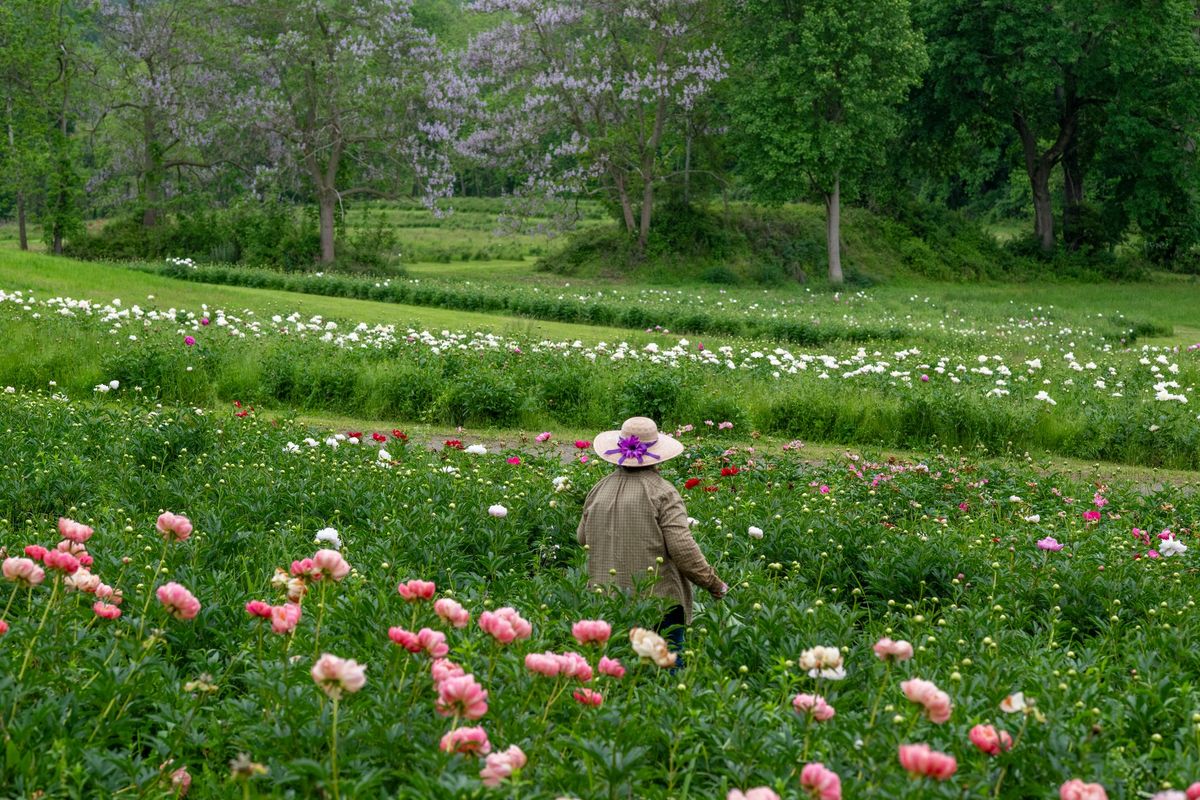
191,605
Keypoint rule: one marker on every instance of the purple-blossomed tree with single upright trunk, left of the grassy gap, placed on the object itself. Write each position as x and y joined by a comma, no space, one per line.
358,98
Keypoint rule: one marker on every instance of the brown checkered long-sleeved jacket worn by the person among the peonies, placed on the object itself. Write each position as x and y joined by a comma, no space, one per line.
631,519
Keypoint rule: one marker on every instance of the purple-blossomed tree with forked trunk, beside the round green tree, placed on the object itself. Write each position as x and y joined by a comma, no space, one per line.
587,97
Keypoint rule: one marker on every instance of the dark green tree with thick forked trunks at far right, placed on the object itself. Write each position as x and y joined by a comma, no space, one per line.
1057,74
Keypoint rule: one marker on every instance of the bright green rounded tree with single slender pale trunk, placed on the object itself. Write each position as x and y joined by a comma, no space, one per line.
818,89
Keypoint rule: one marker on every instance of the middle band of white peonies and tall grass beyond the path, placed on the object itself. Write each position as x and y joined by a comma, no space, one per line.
1036,382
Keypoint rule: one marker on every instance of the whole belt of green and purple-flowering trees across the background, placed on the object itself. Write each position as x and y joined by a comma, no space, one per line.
1077,121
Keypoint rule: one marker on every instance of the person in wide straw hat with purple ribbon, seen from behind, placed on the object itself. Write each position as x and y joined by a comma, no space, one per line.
634,520
